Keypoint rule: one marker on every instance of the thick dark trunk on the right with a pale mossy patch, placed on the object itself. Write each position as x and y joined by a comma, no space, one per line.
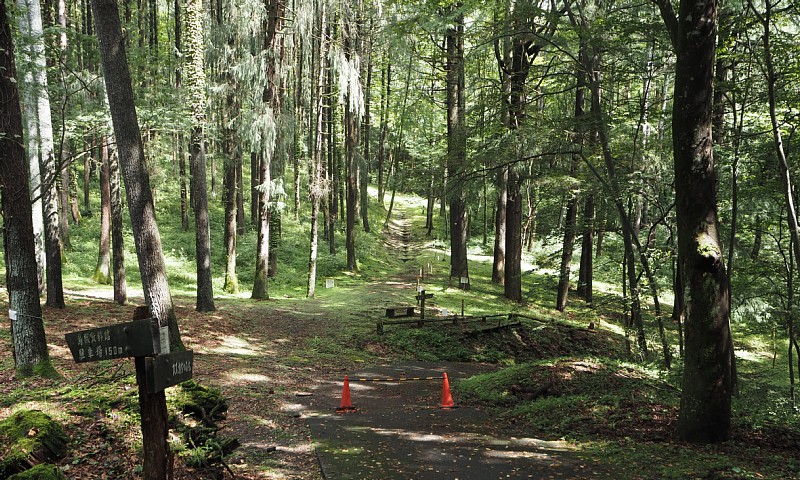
705,414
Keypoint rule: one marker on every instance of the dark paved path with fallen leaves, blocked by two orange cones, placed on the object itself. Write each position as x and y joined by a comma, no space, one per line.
398,432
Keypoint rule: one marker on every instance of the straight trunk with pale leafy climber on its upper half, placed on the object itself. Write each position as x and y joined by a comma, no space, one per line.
196,85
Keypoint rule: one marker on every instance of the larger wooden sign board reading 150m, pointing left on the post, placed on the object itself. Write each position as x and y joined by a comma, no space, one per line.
139,338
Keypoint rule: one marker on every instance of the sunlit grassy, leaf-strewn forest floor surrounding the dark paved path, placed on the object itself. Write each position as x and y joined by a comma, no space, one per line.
560,379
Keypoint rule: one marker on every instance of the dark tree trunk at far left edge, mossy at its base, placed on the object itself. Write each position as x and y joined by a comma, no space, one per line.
27,330
